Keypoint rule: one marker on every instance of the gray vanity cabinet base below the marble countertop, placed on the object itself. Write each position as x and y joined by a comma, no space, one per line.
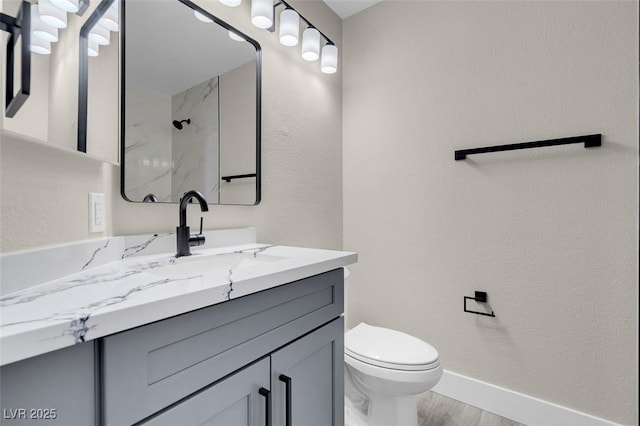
202,367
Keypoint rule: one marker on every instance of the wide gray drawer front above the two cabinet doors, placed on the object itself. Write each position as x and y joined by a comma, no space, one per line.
151,367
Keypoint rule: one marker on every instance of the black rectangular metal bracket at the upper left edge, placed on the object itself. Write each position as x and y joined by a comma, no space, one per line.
18,27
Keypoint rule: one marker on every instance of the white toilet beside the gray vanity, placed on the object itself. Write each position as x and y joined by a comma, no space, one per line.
385,370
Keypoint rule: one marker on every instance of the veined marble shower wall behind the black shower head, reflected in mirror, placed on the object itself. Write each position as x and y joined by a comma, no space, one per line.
195,148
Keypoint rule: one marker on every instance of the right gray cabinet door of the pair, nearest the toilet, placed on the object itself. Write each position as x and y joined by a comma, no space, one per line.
307,378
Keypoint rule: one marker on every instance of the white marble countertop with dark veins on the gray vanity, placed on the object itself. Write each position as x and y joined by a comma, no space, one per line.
135,290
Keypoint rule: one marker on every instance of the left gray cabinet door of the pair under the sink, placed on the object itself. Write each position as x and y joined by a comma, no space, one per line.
234,401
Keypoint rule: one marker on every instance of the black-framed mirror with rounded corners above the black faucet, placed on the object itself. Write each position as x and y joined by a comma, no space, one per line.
190,106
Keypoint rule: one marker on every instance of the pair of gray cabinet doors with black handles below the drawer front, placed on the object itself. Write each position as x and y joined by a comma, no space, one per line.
313,367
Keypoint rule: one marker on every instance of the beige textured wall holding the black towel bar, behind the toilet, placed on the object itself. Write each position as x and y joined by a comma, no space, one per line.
551,234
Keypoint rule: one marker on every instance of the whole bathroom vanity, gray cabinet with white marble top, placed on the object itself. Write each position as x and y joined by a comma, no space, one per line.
239,334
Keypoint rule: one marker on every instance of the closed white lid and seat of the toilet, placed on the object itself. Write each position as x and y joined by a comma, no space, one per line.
389,348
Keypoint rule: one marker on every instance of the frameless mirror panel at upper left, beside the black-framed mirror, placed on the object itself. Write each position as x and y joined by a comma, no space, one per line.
50,114
